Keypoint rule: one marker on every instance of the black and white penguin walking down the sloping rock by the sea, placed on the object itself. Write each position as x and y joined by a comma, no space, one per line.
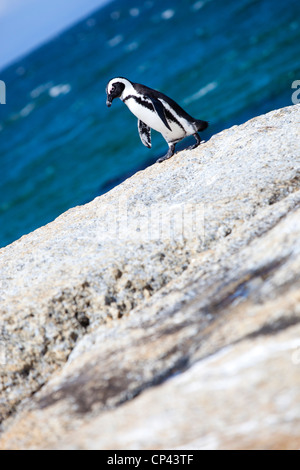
157,111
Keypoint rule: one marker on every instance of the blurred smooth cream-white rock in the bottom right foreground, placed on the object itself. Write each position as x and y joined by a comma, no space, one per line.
206,406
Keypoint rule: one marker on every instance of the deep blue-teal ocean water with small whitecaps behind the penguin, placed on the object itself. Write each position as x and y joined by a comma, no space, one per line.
60,146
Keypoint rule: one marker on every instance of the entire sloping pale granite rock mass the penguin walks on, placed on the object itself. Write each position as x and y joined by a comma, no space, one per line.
188,271
